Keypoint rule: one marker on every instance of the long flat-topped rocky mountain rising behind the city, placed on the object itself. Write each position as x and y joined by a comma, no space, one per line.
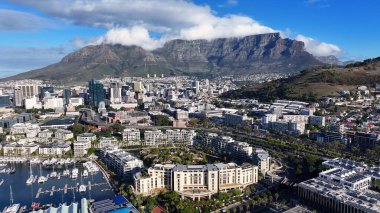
251,54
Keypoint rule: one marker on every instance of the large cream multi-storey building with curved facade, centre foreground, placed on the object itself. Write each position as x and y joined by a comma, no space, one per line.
195,181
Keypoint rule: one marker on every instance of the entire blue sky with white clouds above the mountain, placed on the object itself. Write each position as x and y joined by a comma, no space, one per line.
34,34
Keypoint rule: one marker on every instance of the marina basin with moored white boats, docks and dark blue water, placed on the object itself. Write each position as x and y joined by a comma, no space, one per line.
52,185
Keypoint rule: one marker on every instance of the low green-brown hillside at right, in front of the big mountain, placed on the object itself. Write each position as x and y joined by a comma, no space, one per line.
313,84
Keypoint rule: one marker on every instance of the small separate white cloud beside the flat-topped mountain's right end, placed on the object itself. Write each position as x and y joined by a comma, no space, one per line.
319,48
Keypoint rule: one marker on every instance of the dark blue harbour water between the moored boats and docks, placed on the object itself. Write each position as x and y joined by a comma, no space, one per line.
26,195
